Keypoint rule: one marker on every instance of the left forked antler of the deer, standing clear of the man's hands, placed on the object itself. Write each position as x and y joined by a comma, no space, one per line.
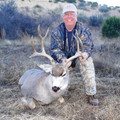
43,53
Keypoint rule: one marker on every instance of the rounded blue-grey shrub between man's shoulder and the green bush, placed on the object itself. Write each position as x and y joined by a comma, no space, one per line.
95,20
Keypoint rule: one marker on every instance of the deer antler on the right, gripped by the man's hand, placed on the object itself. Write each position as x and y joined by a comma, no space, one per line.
78,53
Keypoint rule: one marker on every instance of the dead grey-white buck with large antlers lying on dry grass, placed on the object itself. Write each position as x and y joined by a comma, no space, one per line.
48,84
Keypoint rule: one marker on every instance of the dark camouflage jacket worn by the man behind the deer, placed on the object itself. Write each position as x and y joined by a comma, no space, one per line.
59,41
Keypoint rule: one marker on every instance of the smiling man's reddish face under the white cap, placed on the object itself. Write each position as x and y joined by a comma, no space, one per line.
70,18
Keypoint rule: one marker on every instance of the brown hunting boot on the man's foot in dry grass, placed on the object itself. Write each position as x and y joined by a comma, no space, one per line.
92,100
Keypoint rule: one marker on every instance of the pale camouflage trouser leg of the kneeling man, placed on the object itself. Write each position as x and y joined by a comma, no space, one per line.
88,75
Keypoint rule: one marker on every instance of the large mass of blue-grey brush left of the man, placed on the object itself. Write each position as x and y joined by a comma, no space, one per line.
17,24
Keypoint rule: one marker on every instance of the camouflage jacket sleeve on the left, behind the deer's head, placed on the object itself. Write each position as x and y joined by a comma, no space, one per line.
57,44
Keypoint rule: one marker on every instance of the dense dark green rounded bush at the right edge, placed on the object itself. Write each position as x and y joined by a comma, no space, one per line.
111,27
